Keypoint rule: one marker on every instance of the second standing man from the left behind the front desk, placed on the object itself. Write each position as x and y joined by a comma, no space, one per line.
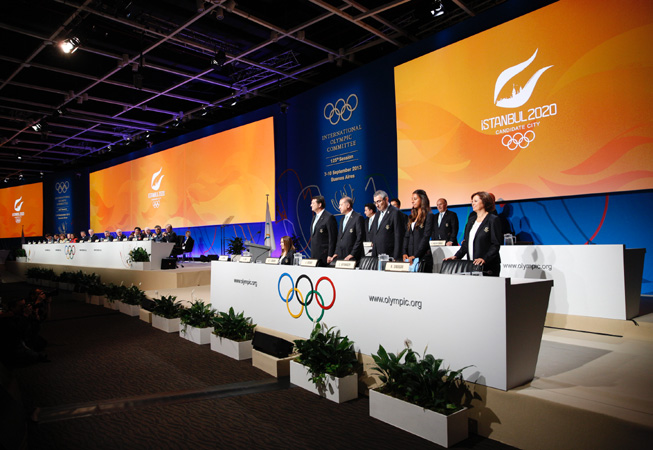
351,231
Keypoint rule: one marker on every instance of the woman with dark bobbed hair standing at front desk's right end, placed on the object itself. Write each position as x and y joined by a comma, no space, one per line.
485,234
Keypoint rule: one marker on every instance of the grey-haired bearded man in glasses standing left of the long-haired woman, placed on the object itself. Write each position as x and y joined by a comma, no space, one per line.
388,232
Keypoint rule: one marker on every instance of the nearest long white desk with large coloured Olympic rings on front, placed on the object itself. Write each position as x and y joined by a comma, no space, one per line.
494,324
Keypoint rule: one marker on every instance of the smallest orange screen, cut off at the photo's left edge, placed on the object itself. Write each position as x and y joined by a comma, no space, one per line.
21,210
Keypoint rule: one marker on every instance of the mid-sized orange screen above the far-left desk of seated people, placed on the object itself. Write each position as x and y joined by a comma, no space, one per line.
221,177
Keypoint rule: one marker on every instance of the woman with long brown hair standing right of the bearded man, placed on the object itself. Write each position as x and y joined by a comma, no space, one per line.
418,232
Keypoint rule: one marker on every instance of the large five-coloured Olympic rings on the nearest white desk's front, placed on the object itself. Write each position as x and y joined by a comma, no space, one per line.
291,287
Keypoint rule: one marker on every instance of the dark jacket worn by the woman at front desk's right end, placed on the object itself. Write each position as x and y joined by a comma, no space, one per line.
486,243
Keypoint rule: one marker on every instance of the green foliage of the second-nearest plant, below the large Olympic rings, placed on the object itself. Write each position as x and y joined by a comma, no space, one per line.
326,352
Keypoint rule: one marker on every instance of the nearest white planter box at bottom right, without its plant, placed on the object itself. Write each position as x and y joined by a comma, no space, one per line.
438,428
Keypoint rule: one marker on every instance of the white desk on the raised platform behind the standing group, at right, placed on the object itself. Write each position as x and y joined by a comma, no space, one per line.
589,280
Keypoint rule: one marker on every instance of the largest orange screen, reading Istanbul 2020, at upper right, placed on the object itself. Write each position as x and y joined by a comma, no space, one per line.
554,103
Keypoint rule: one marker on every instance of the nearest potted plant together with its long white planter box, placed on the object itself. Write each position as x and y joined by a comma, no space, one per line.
420,396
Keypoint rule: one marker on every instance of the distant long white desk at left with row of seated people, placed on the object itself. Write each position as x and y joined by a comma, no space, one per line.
110,255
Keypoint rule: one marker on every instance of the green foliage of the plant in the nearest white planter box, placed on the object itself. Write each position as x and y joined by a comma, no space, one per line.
423,382
